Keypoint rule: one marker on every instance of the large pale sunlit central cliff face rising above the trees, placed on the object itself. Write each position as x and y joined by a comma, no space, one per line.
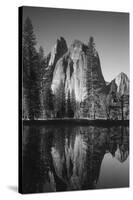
71,69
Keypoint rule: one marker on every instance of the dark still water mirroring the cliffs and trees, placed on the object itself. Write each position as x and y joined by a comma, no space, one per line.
62,158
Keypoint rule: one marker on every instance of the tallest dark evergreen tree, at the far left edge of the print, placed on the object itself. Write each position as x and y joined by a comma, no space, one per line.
31,71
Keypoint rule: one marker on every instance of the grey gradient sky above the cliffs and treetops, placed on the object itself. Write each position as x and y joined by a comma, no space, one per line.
109,29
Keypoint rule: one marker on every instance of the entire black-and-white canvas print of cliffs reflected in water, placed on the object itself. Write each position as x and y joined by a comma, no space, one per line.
74,100
